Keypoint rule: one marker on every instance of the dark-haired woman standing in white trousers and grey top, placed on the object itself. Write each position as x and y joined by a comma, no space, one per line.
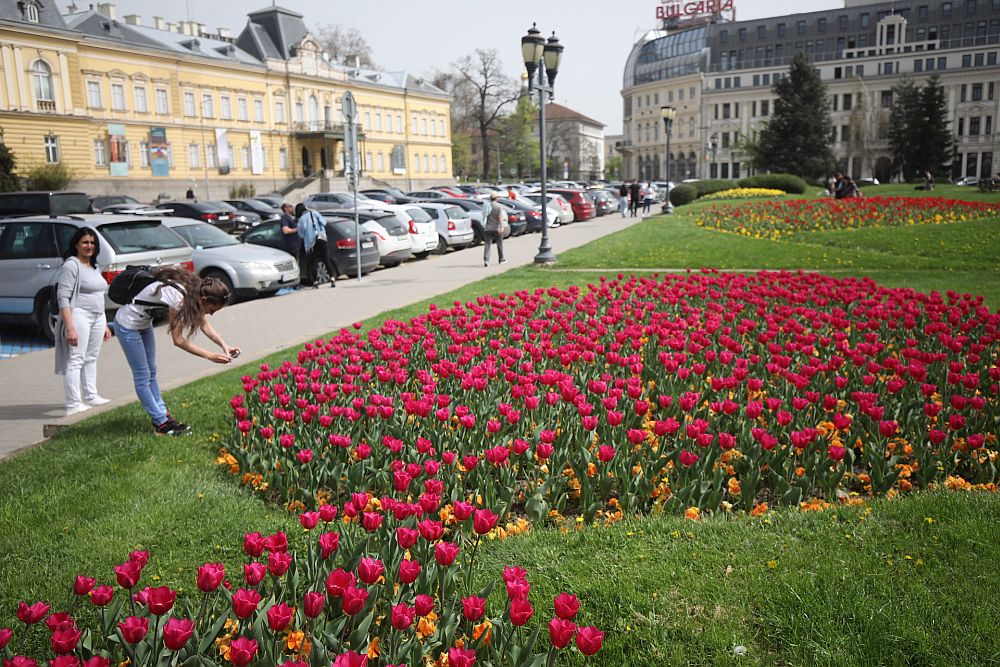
82,327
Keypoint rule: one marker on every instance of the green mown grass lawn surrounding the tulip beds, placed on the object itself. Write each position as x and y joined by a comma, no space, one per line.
854,586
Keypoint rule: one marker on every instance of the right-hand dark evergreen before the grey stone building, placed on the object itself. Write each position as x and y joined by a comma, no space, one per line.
919,136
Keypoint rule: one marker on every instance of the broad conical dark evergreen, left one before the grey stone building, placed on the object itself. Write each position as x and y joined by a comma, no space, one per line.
797,138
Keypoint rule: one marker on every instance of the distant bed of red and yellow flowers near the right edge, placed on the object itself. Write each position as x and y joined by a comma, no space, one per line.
774,220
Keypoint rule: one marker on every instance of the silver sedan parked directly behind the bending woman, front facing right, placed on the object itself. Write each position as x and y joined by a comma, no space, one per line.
247,270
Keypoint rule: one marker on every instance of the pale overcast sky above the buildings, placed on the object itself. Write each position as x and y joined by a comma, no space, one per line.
429,35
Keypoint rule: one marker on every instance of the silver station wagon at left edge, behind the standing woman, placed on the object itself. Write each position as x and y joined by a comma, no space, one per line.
31,250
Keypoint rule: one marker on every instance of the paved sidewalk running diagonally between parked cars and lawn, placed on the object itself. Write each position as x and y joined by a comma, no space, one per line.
31,395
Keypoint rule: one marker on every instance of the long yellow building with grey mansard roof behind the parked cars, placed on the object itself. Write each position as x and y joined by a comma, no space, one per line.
151,110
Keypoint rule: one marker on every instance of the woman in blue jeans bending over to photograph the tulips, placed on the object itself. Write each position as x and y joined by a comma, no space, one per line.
189,299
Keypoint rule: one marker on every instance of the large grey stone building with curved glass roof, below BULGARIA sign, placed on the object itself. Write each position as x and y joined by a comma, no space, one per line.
719,75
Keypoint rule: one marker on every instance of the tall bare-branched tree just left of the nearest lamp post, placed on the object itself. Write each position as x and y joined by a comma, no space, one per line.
481,86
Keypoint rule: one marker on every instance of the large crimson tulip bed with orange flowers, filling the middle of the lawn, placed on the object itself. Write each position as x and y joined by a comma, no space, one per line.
689,394
